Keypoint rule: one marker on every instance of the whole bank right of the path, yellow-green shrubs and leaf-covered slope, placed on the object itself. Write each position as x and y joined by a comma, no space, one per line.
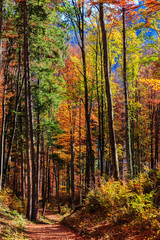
119,209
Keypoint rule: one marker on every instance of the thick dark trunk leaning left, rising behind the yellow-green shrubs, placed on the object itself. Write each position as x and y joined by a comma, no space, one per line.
109,97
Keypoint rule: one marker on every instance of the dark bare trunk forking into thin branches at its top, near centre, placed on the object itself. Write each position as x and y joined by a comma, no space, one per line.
79,15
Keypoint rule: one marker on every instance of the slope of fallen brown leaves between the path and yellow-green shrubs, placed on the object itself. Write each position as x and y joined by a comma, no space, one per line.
99,226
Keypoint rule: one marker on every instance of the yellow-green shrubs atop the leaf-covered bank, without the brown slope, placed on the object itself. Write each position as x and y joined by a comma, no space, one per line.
136,197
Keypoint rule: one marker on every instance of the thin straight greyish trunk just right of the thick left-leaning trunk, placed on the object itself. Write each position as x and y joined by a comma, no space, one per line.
128,130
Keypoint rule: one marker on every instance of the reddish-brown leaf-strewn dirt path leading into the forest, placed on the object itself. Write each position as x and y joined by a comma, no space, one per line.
49,231
